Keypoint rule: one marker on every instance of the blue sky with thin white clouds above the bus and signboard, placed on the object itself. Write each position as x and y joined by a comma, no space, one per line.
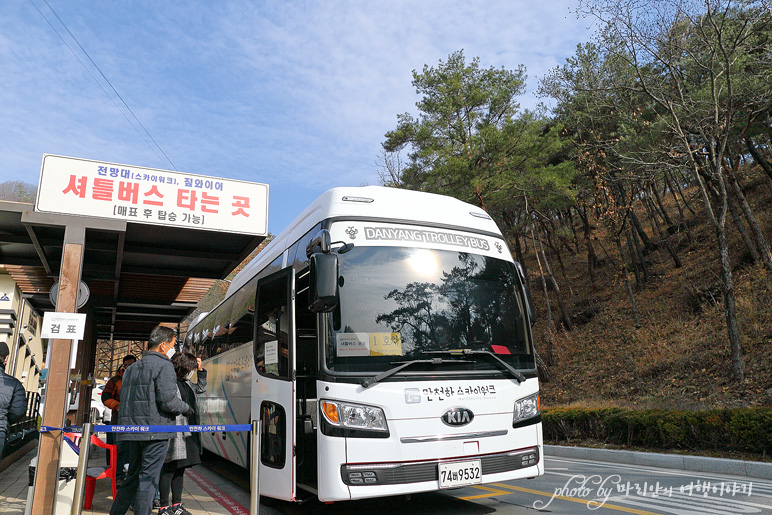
295,94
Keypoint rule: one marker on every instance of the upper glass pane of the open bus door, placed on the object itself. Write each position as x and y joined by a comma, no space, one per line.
271,344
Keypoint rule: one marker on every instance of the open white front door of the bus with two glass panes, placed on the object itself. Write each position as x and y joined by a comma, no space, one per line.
273,390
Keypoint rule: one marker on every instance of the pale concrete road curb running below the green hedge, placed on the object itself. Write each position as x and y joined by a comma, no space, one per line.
754,469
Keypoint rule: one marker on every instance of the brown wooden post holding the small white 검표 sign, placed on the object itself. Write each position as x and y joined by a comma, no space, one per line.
47,472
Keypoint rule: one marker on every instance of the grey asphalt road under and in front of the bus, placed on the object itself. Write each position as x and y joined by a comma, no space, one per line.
569,486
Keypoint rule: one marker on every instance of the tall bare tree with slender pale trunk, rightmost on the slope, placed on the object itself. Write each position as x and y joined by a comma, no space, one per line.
692,60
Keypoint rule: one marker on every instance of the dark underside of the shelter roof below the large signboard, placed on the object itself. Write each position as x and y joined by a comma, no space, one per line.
139,275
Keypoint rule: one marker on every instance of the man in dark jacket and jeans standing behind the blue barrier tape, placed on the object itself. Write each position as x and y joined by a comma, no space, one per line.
148,398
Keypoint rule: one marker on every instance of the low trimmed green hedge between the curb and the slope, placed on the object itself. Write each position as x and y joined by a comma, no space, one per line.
745,429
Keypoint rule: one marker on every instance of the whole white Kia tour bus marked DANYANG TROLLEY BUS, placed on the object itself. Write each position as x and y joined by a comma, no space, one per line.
384,340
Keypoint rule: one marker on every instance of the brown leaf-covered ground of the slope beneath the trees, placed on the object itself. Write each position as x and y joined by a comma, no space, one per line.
673,353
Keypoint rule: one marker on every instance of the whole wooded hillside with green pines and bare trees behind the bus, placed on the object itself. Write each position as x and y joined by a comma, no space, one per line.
640,201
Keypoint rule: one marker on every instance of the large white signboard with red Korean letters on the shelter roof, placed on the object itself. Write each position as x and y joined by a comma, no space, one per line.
144,195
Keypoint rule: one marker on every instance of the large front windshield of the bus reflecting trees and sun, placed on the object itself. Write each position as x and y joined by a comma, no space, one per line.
399,304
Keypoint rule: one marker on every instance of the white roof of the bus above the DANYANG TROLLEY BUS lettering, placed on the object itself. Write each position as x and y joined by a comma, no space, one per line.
368,202
